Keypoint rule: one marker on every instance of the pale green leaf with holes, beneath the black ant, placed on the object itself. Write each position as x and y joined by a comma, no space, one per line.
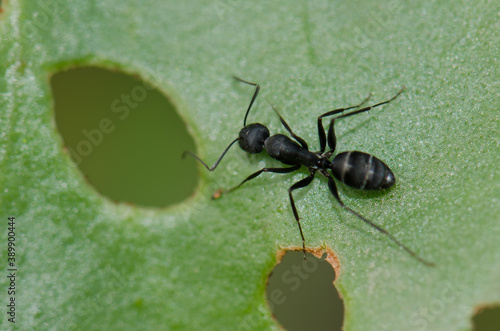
86,263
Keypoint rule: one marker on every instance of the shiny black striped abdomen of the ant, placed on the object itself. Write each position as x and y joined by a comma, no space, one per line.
362,171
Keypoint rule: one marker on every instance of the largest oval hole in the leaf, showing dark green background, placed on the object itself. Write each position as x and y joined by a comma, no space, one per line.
126,139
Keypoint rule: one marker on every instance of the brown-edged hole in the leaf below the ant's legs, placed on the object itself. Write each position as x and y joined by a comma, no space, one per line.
301,295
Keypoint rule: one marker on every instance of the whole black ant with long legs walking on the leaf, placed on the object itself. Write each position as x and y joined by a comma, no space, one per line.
356,169
